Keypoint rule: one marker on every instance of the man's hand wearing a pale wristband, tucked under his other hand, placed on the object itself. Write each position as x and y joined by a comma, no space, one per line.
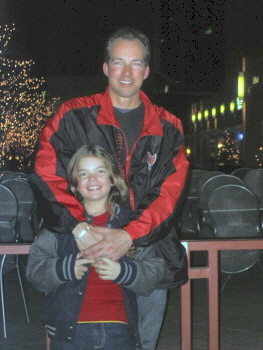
89,238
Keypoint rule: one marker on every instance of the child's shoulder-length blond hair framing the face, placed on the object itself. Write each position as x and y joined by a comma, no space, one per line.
119,190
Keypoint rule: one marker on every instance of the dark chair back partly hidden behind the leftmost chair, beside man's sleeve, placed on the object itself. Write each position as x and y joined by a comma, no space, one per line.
26,207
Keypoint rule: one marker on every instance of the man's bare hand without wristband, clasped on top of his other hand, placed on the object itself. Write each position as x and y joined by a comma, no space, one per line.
115,243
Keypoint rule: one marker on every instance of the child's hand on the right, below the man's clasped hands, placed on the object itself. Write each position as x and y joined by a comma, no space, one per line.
106,268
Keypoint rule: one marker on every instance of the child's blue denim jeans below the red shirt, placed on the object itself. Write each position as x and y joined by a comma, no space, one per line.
96,336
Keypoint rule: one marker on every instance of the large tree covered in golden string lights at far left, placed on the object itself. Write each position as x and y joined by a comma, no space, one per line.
23,107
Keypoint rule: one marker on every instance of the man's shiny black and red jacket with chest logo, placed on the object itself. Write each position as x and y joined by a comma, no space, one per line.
155,170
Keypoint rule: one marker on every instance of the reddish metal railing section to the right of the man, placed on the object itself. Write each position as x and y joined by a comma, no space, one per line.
210,272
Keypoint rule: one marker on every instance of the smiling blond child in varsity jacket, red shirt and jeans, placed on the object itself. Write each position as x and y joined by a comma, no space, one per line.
91,304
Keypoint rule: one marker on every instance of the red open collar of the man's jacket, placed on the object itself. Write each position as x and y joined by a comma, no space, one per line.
151,124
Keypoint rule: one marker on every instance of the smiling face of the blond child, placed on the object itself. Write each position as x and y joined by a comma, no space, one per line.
93,181
